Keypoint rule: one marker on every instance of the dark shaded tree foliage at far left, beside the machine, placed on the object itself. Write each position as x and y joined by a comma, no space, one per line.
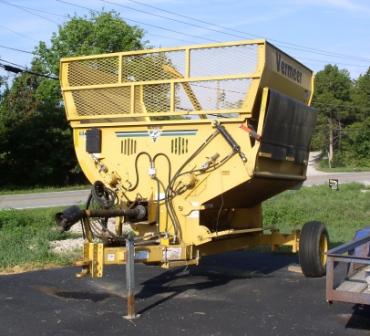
35,139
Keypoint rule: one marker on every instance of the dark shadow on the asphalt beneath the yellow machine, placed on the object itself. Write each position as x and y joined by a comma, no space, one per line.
213,271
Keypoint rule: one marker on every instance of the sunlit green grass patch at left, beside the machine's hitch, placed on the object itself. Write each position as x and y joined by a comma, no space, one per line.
25,237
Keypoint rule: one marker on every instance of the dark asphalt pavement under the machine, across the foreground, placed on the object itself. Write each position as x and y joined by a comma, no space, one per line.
240,293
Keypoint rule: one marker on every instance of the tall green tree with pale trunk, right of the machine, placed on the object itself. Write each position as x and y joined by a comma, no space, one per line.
332,99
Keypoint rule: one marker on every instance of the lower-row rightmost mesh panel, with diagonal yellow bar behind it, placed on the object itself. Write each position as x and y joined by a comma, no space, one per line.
211,95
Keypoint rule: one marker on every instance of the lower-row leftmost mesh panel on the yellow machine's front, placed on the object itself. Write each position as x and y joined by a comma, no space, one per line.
102,101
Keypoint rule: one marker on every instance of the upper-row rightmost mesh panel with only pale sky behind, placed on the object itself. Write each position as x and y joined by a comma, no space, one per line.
221,61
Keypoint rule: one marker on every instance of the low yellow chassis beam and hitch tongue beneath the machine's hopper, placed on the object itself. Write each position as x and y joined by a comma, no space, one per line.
96,255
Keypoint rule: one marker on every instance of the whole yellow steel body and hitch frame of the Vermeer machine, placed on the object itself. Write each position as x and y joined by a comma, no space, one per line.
257,176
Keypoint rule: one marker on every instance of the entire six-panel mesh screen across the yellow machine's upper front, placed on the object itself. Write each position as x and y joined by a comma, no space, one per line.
171,82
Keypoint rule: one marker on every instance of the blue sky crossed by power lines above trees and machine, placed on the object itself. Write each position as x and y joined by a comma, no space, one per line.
341,28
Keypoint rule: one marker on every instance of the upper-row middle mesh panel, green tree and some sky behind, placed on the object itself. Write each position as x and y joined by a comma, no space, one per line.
153,66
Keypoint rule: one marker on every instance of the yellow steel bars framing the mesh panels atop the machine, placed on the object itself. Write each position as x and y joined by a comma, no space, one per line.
263,68
